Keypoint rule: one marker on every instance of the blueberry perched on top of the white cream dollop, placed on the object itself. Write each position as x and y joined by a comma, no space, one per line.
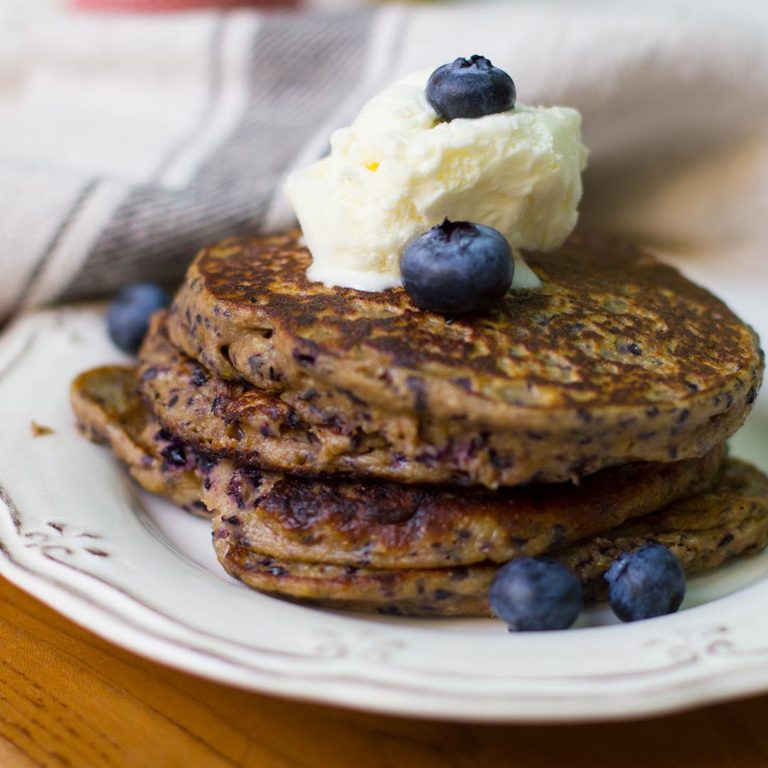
470,87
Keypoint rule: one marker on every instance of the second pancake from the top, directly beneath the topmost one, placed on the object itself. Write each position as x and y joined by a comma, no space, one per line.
228,417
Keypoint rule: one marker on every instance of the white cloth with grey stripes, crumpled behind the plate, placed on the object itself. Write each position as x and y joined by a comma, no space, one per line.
128,142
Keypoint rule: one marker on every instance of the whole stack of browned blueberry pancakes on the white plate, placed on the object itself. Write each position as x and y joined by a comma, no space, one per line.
355,451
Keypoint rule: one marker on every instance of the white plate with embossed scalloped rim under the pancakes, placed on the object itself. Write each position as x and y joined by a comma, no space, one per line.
79,535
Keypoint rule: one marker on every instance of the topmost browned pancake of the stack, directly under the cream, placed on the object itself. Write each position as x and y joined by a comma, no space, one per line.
617,358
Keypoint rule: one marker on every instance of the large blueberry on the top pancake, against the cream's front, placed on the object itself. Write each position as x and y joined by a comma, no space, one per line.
457,267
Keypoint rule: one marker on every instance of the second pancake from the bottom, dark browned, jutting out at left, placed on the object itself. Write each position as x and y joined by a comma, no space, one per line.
386,525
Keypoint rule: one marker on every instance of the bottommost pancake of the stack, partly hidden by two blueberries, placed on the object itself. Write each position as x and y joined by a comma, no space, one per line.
703,532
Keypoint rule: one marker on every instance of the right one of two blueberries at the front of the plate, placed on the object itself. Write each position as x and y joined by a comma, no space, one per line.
645,583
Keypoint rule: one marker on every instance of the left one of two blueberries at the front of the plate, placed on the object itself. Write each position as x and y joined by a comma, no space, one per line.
535,593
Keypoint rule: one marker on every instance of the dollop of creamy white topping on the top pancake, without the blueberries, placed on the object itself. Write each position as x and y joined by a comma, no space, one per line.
399,170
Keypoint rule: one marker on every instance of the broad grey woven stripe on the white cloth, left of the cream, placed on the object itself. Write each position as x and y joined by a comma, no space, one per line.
296,69
